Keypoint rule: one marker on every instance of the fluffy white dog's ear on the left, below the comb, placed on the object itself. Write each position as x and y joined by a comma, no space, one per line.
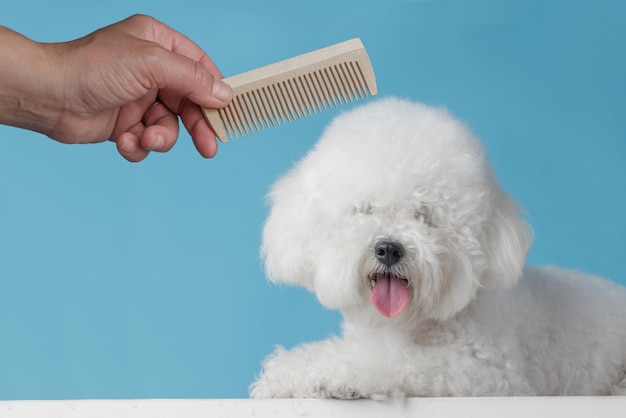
286,235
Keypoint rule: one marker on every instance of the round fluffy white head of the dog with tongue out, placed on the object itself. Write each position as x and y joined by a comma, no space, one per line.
394,211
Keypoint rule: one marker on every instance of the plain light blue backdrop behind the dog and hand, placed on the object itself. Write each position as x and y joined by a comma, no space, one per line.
122,280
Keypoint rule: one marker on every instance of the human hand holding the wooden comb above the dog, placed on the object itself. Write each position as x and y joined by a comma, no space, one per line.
128,83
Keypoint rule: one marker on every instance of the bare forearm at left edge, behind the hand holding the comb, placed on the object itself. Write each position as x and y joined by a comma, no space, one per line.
29,89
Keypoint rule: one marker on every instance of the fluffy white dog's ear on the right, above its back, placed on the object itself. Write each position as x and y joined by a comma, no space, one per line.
506,240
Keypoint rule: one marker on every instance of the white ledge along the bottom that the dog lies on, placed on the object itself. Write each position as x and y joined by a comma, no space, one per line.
571,407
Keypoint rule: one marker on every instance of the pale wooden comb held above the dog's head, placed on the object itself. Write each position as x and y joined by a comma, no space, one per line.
294,88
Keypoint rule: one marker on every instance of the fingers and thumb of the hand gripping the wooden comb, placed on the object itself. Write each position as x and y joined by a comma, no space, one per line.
185,78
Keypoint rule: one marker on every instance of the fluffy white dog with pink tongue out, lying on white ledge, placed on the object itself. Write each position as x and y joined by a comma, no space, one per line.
396,219
